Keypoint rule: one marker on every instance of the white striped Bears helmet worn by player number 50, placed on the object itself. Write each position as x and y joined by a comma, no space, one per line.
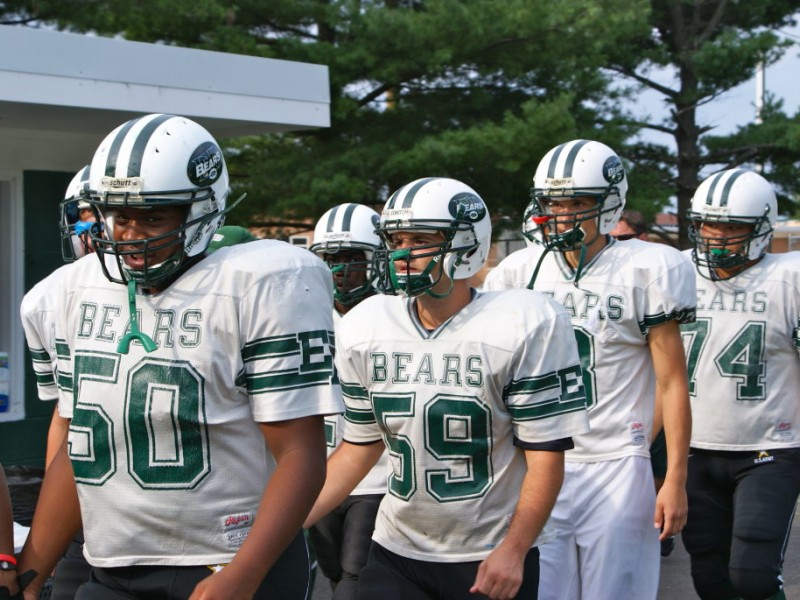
159,160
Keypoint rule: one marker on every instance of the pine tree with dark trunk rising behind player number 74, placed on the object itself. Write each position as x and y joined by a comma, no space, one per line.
712,46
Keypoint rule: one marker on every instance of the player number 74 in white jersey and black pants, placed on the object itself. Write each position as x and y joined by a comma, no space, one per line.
744,375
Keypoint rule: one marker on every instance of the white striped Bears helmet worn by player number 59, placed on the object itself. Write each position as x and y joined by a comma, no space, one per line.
436,204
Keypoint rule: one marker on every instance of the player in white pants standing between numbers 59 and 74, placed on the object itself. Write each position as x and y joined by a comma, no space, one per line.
625,301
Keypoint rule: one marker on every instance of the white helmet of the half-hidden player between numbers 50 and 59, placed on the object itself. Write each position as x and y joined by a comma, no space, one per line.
343,228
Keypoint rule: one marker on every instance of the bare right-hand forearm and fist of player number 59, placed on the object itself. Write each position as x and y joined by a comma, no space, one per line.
500,574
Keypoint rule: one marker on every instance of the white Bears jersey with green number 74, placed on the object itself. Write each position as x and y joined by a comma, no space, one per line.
743,358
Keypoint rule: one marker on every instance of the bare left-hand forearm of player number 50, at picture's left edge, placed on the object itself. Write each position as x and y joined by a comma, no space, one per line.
55,522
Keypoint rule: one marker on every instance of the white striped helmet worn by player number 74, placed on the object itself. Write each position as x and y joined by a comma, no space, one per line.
732,196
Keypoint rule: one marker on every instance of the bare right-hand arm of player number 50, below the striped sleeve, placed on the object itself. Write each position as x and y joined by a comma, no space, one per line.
298,446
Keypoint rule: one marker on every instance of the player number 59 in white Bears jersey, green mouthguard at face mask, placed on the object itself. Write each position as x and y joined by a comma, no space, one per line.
475,397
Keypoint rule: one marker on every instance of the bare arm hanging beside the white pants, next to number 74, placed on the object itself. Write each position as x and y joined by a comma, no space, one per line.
672,393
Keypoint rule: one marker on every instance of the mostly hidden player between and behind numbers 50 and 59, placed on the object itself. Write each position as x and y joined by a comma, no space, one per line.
345,238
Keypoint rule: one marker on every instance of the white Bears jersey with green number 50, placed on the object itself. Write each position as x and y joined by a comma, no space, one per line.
166,448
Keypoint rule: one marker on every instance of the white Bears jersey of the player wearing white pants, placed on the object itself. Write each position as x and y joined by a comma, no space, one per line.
625,290
